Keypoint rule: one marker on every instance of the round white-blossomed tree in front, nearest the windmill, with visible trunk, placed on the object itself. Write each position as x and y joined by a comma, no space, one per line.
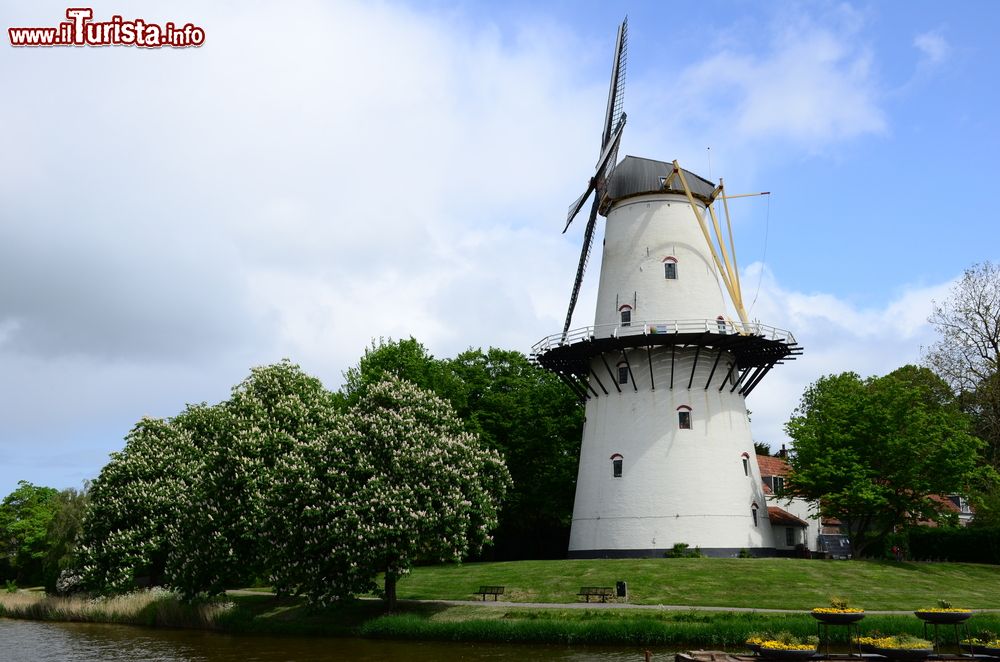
399,481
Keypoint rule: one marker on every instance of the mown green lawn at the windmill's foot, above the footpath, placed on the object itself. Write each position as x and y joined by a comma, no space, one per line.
753,583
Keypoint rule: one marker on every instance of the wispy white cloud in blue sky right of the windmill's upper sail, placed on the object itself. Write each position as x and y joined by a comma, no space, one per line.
809,87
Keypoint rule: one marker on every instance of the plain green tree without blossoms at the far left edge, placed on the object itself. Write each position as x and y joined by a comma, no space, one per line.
25,515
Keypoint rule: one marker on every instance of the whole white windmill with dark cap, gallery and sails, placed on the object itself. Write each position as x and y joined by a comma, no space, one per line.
667,455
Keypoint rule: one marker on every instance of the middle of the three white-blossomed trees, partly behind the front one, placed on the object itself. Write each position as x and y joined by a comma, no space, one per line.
220,540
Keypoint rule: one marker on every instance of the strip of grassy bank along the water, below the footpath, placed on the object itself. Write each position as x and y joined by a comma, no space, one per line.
432,621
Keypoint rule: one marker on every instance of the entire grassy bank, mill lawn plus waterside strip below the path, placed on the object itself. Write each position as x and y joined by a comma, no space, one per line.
710,619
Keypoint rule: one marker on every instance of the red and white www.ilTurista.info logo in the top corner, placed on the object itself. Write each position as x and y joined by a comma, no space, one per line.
81,30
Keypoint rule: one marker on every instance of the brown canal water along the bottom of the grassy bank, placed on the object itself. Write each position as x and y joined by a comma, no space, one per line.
31,641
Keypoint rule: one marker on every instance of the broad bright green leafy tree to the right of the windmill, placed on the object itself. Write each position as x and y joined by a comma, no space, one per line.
873,452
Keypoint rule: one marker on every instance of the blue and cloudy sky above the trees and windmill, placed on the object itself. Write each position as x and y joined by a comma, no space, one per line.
317,175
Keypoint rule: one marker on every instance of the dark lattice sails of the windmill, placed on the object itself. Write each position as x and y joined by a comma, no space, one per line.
614,124
